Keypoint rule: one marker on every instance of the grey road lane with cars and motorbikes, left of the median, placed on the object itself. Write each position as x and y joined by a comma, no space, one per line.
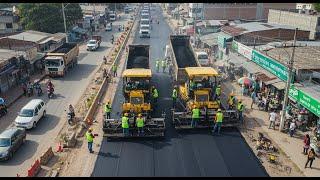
68,90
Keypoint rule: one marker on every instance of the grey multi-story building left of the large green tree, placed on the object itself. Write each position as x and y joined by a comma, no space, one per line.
9,22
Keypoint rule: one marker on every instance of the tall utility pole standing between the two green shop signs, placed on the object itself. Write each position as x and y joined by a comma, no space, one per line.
290,67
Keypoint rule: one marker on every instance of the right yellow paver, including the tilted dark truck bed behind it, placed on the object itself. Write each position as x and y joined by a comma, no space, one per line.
196,87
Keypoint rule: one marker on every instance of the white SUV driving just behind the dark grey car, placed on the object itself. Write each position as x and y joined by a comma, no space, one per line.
31,113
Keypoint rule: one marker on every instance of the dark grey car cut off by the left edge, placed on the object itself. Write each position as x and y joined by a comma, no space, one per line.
10,141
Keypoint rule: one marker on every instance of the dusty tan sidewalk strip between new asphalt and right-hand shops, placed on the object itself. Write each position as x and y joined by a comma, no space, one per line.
292,147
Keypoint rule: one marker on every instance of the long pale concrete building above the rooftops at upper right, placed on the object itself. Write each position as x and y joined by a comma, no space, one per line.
302,20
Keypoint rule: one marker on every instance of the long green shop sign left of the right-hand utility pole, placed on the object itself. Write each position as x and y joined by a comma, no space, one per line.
270,64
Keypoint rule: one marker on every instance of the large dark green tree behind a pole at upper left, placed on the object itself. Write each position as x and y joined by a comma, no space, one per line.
47,17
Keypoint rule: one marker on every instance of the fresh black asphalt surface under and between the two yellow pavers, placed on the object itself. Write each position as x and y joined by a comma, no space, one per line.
193,154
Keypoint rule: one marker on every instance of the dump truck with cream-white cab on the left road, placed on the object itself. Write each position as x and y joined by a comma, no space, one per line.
59,61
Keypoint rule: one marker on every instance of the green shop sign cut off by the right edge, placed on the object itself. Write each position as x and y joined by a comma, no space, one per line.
305,100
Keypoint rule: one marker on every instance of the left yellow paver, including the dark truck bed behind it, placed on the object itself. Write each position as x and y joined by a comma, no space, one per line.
137,93
